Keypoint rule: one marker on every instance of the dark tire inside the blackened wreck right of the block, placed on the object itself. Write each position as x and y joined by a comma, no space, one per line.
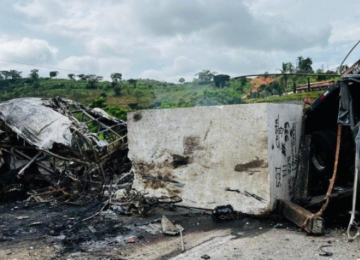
322,157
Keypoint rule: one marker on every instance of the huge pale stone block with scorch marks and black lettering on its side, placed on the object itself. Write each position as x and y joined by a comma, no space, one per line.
243,155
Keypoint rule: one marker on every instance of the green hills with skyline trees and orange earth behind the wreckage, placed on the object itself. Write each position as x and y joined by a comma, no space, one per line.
119,96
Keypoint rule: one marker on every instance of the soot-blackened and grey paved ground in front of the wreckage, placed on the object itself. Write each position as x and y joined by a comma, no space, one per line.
56,231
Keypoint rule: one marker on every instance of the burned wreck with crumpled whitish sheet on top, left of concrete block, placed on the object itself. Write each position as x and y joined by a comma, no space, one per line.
57,149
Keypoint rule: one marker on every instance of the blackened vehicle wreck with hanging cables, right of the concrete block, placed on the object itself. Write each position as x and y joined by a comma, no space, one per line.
332,123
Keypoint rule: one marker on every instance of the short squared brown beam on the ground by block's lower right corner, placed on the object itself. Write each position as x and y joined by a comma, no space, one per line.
301,217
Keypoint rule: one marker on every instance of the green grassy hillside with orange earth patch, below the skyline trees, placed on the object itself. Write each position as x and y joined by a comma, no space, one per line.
124,96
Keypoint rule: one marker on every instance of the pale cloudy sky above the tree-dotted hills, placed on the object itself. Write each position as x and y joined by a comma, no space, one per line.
169,39
